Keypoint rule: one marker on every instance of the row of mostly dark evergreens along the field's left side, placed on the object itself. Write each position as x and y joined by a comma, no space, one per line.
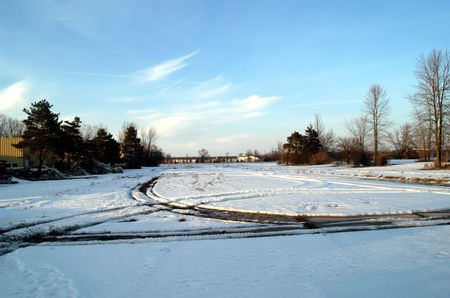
49,138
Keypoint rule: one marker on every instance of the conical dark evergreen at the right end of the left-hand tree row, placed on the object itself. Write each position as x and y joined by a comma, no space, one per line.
132,150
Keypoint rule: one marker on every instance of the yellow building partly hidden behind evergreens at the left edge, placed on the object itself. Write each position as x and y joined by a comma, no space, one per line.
14,157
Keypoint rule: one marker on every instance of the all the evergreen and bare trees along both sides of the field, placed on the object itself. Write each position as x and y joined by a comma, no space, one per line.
371,137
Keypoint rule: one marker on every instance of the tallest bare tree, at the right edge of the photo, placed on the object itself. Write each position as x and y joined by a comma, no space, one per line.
431,100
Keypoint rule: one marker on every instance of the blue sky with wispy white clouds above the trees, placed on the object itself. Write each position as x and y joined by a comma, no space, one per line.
222,75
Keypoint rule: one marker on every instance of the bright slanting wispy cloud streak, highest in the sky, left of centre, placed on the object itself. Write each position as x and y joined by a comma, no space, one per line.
164,69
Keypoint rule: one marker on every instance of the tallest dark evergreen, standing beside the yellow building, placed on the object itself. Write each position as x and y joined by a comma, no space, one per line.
42,134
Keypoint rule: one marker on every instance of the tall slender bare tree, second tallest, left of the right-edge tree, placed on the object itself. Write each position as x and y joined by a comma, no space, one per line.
377,108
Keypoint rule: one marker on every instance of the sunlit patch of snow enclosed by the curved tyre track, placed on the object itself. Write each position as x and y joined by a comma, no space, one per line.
305,191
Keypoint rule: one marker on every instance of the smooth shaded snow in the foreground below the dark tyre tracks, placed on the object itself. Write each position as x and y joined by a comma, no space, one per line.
395,263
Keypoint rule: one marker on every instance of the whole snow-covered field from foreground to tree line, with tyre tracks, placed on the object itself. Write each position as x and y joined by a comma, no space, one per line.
93,239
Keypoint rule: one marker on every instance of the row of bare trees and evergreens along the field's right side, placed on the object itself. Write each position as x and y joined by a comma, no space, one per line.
372,131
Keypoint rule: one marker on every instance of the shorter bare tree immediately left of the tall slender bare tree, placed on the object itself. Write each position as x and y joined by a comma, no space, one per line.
358,129
